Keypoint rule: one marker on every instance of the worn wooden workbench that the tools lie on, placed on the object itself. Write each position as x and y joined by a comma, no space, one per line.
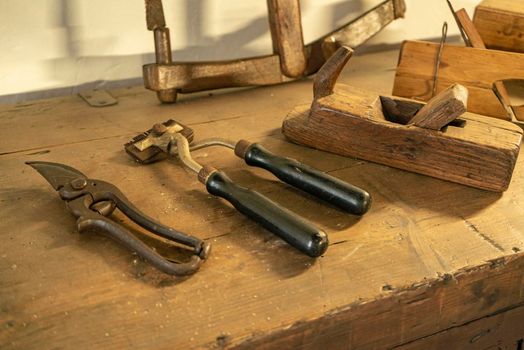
432,262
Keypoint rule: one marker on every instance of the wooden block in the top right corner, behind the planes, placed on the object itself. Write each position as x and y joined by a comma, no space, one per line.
500,24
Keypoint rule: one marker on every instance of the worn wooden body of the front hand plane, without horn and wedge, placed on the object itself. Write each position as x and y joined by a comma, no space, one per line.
350,122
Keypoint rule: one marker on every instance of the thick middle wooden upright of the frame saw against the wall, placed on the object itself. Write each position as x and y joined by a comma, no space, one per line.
285,26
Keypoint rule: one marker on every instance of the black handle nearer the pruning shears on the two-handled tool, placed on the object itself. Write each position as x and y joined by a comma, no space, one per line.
287,225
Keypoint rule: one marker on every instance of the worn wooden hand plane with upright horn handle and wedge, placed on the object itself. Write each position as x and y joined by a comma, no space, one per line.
430,139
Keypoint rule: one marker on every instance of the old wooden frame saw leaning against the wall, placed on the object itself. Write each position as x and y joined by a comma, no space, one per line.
290,58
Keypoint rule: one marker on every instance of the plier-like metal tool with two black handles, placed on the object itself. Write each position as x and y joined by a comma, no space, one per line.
173,138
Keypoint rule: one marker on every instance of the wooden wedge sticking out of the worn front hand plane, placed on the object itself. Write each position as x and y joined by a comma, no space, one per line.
442,109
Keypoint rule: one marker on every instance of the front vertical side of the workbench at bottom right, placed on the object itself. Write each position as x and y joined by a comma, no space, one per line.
436,298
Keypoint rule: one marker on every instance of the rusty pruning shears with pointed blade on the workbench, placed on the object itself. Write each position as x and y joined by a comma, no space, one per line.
92,201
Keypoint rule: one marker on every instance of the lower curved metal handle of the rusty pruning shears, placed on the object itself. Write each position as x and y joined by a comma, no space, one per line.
92,220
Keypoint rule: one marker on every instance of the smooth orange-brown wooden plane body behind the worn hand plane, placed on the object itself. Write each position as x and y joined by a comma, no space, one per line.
476,69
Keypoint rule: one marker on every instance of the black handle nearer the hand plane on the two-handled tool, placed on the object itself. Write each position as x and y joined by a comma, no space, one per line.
326,187
